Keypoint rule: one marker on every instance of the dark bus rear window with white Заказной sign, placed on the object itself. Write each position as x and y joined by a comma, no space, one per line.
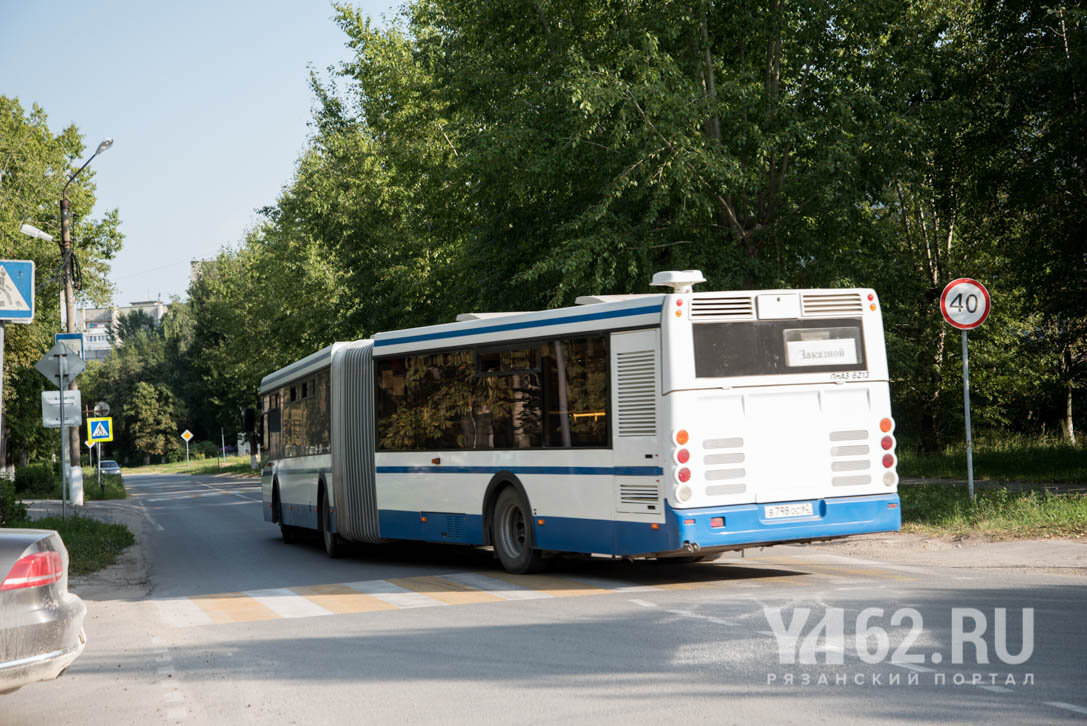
724,351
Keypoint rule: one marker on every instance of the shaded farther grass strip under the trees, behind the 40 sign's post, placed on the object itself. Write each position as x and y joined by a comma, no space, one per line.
1010,459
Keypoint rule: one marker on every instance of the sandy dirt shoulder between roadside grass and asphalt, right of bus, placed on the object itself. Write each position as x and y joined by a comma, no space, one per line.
1060,557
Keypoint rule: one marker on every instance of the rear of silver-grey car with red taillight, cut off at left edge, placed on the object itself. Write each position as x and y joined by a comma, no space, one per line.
41,622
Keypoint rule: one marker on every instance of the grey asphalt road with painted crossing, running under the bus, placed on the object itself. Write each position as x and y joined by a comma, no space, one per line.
239,628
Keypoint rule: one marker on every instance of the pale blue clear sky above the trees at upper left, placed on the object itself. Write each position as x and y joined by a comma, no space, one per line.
208,105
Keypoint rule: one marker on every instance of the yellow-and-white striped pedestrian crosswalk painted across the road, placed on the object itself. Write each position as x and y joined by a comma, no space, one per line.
455,590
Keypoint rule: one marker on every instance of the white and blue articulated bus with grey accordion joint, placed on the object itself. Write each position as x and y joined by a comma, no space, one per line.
673,425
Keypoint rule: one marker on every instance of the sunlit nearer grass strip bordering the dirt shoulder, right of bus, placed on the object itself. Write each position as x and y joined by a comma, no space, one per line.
939,509
